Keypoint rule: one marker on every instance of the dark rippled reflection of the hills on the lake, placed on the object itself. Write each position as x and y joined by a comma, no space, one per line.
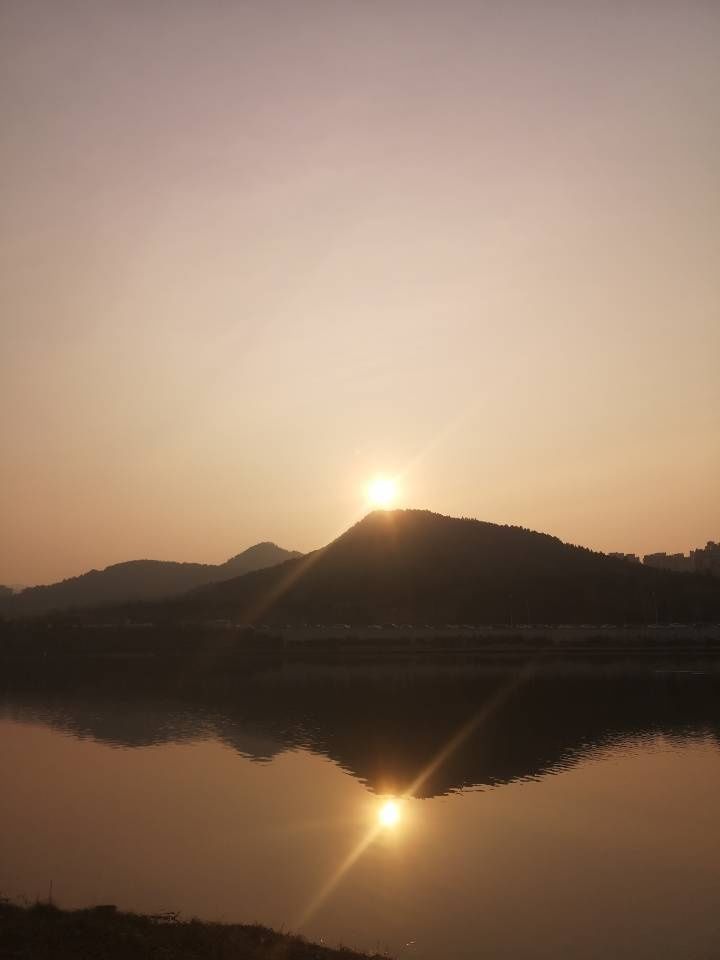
384,723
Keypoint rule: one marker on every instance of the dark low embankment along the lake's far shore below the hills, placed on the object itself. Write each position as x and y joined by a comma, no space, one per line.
42,641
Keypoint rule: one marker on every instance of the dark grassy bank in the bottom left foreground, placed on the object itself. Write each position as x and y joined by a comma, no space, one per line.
44,932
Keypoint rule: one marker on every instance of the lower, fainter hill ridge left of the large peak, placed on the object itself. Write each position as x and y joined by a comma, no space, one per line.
138,580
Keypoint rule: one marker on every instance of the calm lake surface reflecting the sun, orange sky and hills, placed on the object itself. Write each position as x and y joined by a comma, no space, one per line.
554,810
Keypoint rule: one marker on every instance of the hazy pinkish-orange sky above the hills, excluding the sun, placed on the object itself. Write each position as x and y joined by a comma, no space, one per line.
256,251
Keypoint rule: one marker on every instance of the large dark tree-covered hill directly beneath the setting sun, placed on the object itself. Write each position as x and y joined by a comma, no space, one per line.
416,567
